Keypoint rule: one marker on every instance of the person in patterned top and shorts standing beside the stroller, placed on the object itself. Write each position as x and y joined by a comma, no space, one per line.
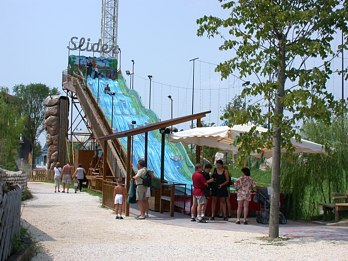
244,186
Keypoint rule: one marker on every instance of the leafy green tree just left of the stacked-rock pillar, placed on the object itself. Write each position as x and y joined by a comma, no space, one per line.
33,110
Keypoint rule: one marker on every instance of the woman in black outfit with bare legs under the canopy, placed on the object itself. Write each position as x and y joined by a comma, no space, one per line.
219,190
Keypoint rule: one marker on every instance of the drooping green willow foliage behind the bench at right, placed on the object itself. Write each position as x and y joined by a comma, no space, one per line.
311,179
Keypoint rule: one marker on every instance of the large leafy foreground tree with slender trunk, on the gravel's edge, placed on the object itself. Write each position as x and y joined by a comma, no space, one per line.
272,42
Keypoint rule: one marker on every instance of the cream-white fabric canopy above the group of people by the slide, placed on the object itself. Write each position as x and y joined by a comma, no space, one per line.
223,137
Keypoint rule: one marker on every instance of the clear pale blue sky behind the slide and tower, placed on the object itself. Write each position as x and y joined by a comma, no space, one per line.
160,36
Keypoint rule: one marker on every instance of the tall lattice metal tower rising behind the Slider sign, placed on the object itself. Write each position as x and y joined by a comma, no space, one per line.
109,25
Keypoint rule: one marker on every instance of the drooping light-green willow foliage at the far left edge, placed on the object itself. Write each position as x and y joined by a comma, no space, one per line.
11,125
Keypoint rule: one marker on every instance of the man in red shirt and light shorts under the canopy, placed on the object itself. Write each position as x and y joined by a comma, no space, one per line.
199,200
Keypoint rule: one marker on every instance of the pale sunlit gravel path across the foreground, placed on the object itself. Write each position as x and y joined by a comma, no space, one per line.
76,227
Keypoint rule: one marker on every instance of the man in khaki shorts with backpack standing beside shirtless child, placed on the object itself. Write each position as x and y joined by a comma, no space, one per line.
141,189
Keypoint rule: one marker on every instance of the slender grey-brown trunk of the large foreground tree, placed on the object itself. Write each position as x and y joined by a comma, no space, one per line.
277,145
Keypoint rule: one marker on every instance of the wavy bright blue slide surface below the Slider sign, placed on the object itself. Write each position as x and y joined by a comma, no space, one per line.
123,108
